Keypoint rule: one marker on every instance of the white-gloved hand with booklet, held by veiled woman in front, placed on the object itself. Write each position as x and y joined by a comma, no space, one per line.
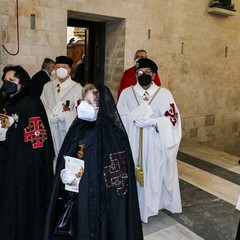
74,169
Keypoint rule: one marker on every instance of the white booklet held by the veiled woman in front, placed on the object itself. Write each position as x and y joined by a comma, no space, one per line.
76,166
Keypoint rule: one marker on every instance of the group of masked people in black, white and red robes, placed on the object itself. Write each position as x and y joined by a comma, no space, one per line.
76,165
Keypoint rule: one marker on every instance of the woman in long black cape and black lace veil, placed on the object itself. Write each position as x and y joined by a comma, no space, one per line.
106,206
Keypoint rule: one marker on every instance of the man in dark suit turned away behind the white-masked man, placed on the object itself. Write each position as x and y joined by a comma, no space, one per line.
42,77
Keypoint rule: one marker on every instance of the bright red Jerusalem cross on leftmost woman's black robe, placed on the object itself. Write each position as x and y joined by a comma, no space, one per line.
35,132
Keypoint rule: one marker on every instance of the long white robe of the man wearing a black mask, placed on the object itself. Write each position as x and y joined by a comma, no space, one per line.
159,151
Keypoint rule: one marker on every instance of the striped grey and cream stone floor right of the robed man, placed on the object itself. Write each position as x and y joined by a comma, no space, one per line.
210,186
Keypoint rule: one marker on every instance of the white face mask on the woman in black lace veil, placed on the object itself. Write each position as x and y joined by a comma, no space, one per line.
86,111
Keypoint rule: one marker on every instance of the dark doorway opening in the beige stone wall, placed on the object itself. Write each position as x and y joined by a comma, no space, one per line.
93,47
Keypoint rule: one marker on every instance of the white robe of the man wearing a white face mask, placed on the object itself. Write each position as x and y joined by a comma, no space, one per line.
70,92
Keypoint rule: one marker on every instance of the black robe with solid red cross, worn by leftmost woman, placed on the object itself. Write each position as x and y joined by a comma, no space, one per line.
26,158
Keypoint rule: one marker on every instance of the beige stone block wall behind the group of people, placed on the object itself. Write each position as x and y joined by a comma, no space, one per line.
198,53
